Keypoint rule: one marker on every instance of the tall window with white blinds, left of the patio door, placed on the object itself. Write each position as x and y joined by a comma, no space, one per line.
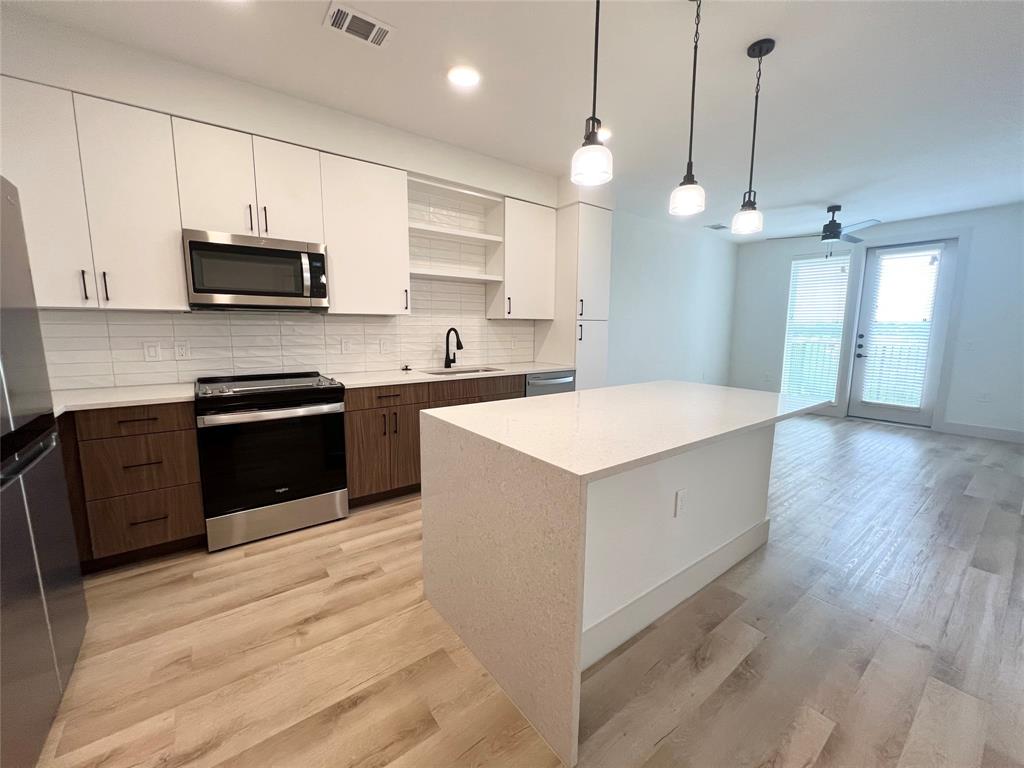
815,326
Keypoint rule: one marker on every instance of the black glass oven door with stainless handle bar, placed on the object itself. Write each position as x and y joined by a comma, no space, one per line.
255,459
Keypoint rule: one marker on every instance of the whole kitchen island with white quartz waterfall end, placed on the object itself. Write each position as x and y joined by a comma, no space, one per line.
558,528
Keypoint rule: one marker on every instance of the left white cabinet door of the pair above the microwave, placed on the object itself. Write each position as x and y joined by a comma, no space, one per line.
217,179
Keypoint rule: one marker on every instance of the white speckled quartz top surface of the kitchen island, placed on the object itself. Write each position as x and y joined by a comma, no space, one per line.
598,433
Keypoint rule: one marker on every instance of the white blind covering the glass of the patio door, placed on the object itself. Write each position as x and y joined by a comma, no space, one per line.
901,329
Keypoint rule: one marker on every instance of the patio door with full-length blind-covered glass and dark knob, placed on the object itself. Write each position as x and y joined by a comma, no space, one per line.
899,348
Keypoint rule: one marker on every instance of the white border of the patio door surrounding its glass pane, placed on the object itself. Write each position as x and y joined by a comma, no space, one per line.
943,307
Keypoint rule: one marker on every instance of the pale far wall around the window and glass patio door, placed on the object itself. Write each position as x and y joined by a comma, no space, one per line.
985,356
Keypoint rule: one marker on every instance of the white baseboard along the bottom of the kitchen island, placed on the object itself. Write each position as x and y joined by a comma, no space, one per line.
614,630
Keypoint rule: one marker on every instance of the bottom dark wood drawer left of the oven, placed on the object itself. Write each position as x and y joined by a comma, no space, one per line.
132,523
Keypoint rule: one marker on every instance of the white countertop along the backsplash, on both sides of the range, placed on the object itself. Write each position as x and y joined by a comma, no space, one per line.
84,400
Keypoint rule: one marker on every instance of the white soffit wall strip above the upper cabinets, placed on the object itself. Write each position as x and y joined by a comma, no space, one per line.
35,50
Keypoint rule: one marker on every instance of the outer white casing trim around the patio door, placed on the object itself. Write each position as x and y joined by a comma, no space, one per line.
962,236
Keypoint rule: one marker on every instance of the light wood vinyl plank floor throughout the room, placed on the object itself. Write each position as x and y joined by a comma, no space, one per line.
883,625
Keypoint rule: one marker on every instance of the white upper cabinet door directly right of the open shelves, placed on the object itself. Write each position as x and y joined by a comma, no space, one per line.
530,261
